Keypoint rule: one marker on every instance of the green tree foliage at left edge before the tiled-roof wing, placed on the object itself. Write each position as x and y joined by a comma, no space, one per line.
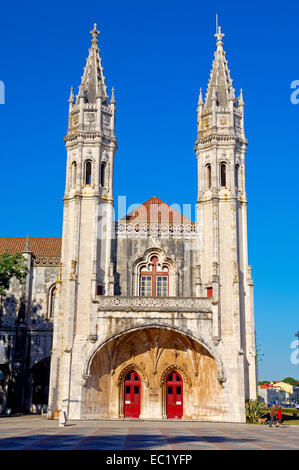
11,266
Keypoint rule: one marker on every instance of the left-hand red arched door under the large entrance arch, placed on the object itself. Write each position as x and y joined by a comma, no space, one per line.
132,387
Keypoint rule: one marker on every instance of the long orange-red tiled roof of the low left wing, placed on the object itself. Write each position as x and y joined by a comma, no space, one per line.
38,246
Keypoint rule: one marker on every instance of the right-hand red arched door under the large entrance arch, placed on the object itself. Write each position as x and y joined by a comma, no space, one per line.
174,396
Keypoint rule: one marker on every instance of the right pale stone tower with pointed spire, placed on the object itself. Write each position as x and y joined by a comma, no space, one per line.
222,222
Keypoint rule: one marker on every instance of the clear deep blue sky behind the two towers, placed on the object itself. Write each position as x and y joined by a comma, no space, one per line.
157,55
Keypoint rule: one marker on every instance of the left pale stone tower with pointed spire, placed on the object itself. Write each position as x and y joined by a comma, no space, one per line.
87,223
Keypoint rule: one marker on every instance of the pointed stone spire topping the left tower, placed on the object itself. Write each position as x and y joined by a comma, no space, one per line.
93,81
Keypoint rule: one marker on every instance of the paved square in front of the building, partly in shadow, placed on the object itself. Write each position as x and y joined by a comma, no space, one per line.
37,433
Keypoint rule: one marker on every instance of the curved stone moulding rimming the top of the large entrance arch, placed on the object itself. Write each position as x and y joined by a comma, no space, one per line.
184,331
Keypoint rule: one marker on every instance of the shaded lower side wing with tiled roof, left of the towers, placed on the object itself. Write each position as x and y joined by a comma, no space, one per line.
26,326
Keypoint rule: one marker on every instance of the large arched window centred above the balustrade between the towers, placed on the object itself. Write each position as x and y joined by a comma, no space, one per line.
154,279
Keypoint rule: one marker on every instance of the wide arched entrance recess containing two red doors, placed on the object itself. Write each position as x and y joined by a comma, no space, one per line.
152,353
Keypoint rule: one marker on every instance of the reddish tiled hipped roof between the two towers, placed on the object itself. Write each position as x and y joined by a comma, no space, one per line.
156,211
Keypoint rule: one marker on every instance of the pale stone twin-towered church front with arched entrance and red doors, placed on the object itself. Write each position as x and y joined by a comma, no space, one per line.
154,293
